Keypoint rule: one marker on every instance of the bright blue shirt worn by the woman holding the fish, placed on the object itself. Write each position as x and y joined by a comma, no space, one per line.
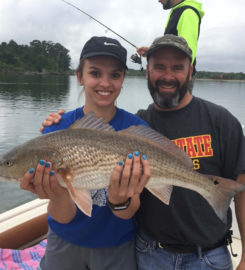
103,228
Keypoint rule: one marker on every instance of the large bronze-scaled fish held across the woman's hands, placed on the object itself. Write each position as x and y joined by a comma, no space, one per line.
84,156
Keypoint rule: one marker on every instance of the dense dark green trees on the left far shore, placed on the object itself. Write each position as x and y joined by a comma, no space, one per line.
39,56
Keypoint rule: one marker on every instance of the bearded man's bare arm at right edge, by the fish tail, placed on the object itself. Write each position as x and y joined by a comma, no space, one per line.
240,215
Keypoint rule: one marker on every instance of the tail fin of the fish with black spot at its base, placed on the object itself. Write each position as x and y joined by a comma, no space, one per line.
223,192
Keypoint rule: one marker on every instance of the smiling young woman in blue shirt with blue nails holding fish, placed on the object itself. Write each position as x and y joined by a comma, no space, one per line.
102,241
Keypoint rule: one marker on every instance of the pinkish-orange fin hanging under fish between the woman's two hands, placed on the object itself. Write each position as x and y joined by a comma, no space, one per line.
81,197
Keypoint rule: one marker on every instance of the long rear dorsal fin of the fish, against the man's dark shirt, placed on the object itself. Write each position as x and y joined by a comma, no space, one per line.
154,137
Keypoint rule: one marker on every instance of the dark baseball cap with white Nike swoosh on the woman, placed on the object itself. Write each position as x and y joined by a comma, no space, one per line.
104,46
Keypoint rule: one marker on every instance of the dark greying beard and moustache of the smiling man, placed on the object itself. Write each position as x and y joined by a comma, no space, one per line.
168,100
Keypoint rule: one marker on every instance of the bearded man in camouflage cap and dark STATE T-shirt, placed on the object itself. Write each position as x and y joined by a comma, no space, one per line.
186,234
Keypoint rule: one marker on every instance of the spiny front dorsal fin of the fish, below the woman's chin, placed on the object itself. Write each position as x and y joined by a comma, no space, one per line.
91,121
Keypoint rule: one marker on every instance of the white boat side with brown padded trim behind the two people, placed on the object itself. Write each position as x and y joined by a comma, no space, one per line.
25,226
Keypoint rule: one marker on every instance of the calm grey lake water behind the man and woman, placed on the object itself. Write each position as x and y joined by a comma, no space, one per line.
26,100
